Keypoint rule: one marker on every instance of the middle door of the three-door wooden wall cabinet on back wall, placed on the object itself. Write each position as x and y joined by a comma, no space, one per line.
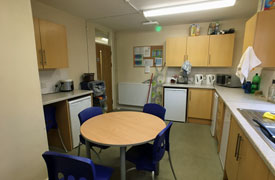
197,50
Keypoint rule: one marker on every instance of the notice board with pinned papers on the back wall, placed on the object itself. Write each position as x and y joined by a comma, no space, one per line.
148,55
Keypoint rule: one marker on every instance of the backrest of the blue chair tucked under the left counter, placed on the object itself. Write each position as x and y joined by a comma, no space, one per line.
49,115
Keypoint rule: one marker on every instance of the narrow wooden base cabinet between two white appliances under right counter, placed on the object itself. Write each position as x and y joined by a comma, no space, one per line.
219,121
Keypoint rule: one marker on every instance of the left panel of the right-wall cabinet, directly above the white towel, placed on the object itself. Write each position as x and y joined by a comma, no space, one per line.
250,30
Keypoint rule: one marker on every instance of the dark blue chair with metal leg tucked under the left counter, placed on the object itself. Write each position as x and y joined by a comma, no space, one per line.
49,115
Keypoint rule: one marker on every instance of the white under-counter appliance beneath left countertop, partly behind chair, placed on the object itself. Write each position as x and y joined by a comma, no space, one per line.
75,107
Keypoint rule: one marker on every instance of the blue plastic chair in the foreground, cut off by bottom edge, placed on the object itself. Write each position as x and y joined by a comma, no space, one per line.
69,167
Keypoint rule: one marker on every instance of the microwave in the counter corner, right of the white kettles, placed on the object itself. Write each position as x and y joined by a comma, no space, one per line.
227,80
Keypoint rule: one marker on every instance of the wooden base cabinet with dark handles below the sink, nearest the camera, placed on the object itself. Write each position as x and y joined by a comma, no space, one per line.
242,160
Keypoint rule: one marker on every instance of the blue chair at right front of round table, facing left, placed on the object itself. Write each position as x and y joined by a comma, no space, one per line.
146,157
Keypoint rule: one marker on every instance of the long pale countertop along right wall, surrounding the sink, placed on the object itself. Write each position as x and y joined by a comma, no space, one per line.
235,98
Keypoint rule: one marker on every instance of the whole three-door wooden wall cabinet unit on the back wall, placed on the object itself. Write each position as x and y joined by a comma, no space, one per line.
201,51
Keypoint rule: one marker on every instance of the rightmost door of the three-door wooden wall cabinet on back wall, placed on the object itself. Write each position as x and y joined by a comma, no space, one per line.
221,49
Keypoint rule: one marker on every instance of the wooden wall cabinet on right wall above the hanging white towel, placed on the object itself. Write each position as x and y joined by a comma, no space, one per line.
259,33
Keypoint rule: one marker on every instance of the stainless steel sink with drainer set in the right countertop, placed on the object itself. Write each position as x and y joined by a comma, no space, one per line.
249,115
